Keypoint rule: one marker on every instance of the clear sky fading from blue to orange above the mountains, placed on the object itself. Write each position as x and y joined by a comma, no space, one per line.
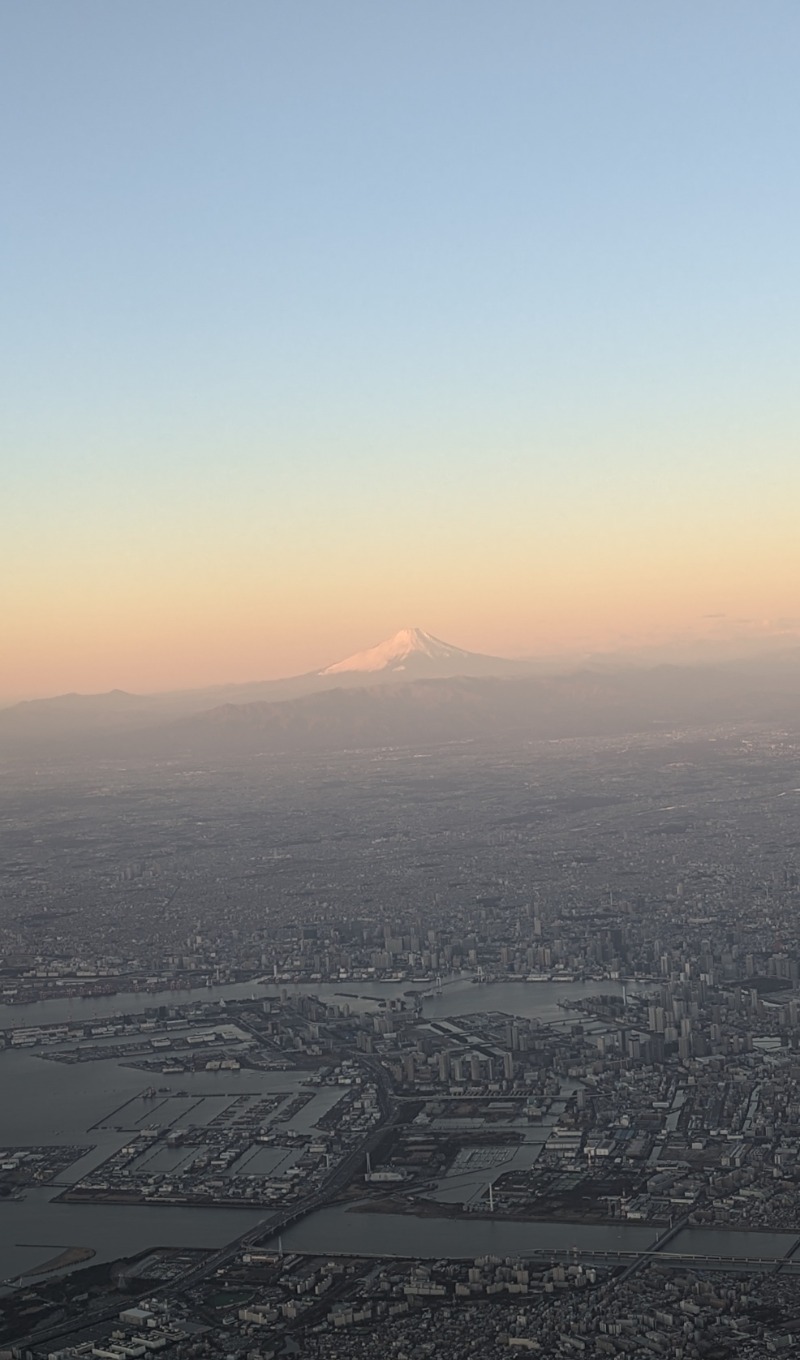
329,319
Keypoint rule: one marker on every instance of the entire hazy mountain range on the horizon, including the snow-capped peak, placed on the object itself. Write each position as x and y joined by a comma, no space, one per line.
413,689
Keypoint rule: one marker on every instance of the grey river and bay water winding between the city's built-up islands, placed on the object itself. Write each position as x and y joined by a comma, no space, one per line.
47,1104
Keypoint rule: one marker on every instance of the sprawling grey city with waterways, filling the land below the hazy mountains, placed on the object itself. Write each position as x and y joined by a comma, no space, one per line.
485,1051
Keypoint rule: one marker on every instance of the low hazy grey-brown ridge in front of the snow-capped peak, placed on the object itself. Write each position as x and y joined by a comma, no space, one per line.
465,709
